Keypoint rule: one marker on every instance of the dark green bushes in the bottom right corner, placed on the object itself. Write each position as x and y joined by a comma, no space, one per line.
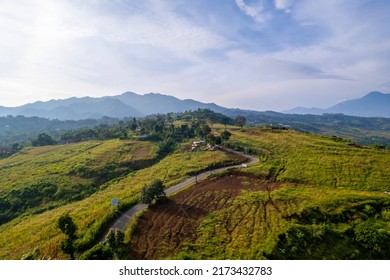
364,234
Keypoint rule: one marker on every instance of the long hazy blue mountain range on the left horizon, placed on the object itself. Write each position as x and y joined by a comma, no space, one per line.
128,104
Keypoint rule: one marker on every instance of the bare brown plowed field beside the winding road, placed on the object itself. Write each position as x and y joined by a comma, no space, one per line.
163,228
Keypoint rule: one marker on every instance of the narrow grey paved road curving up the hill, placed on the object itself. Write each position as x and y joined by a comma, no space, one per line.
123,220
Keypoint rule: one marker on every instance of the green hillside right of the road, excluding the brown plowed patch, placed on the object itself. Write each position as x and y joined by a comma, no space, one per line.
326,189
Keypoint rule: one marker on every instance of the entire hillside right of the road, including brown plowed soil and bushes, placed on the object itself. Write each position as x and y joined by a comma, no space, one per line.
316,198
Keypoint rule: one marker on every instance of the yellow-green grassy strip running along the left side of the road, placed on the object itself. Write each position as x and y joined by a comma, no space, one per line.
94,213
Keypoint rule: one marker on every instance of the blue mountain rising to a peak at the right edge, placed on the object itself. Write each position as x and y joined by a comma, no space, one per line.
374,104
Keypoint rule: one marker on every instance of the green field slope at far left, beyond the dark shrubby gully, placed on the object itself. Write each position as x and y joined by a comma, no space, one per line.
37,179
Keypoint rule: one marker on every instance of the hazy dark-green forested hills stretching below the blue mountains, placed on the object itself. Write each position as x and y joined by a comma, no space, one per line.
365,131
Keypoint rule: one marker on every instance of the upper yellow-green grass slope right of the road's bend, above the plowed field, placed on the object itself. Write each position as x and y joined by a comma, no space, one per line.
318,161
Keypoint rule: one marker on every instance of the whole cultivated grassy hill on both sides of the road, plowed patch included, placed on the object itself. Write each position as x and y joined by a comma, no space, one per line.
309,197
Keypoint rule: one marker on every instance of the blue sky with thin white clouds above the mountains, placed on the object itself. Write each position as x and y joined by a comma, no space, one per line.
249,54
